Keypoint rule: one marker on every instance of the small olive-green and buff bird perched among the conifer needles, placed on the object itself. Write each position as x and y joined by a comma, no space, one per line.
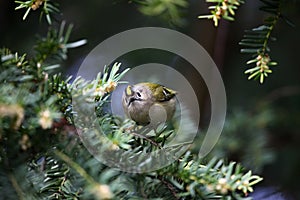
149,103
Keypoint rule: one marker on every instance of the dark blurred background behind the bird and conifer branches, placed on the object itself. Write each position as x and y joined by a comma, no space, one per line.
262,125
